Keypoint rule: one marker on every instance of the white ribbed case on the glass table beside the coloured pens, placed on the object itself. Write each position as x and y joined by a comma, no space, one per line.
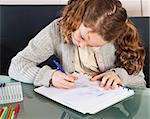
10,92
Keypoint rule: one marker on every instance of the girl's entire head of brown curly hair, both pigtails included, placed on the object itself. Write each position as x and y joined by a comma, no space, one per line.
109,19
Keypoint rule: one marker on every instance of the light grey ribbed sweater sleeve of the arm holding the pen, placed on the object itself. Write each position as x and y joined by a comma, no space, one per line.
23,66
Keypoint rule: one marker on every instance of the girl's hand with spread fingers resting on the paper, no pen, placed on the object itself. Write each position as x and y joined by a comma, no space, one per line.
109,79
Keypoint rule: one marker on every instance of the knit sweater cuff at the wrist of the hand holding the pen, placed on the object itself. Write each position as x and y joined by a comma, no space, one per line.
43,76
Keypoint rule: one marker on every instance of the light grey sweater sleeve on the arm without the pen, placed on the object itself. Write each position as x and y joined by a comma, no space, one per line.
133,81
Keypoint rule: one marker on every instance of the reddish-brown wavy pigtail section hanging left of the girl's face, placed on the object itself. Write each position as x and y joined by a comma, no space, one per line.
72,17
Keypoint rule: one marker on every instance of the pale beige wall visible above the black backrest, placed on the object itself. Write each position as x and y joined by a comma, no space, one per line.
134,7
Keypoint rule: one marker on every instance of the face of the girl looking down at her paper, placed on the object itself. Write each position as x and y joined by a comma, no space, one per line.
82,37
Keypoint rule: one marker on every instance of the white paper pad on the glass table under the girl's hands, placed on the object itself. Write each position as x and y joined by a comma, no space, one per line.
86,96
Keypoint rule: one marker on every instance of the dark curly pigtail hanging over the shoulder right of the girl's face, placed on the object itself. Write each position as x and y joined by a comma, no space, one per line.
130,52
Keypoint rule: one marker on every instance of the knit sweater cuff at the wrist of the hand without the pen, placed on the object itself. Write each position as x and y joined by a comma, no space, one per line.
123,75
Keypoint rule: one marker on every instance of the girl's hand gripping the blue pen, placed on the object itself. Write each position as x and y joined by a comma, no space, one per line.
63,80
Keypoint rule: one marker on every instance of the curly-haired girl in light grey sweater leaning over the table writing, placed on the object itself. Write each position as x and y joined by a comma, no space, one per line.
94,37
